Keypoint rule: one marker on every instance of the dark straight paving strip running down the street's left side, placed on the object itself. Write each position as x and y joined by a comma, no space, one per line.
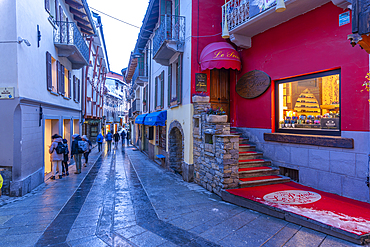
58,230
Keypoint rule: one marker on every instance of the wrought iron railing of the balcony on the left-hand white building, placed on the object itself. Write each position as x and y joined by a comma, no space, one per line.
68,33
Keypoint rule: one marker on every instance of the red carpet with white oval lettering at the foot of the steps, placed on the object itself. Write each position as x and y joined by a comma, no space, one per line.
337,211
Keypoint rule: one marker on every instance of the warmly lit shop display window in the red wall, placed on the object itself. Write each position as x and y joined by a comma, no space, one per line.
309,104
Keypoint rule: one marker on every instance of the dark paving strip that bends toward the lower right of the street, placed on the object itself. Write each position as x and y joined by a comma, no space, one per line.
147,218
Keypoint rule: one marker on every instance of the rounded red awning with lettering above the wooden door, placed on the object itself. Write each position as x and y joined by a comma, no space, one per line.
219,55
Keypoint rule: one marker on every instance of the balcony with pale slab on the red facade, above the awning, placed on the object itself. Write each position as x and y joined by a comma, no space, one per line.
245,18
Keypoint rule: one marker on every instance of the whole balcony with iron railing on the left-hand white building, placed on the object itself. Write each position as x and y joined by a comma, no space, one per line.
70,44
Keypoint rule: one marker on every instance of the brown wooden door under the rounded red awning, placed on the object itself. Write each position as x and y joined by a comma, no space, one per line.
220,89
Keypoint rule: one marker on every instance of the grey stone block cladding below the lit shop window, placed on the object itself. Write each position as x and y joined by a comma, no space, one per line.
337,170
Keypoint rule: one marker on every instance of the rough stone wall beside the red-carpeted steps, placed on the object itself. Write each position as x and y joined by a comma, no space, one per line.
216,152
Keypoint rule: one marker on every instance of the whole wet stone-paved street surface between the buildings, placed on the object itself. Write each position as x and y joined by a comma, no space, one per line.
124,199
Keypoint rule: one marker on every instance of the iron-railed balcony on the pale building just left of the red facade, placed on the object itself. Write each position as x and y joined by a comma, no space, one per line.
169,38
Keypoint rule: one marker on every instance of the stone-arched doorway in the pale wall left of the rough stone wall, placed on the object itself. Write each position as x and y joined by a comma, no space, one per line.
176,147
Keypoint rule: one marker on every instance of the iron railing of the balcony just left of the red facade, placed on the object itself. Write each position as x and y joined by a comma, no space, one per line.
172,28
